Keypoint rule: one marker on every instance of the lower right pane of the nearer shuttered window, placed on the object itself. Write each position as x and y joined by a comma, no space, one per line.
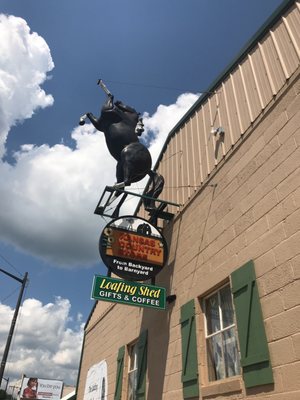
232,365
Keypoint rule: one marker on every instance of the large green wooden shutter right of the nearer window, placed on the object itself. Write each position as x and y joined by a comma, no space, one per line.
255,358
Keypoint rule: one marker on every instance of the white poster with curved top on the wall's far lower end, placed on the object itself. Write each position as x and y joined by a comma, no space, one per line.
96,382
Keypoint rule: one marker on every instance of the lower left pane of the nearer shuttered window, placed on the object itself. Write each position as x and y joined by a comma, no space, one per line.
215,358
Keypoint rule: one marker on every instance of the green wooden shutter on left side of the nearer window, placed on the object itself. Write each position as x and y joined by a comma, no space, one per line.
189,375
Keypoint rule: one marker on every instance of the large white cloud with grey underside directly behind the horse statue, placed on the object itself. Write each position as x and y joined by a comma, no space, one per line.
49,195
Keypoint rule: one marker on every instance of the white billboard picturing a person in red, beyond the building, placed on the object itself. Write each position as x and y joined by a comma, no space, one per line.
41,389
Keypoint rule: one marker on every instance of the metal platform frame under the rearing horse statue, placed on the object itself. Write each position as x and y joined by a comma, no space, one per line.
106,207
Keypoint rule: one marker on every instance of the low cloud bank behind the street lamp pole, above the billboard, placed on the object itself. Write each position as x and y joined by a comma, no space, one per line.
42,341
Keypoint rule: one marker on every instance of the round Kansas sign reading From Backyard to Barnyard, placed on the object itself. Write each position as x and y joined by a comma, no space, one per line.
132,248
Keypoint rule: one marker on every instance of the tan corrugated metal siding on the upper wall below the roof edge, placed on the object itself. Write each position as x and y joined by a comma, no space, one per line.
193,151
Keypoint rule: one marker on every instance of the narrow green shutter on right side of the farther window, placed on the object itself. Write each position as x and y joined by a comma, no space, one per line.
142,366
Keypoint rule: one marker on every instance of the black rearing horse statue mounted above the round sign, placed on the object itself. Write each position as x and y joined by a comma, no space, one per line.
121,126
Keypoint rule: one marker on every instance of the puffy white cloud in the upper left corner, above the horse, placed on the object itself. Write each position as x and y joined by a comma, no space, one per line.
25,60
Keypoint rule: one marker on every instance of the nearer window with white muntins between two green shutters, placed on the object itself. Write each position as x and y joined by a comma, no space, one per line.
221,342
